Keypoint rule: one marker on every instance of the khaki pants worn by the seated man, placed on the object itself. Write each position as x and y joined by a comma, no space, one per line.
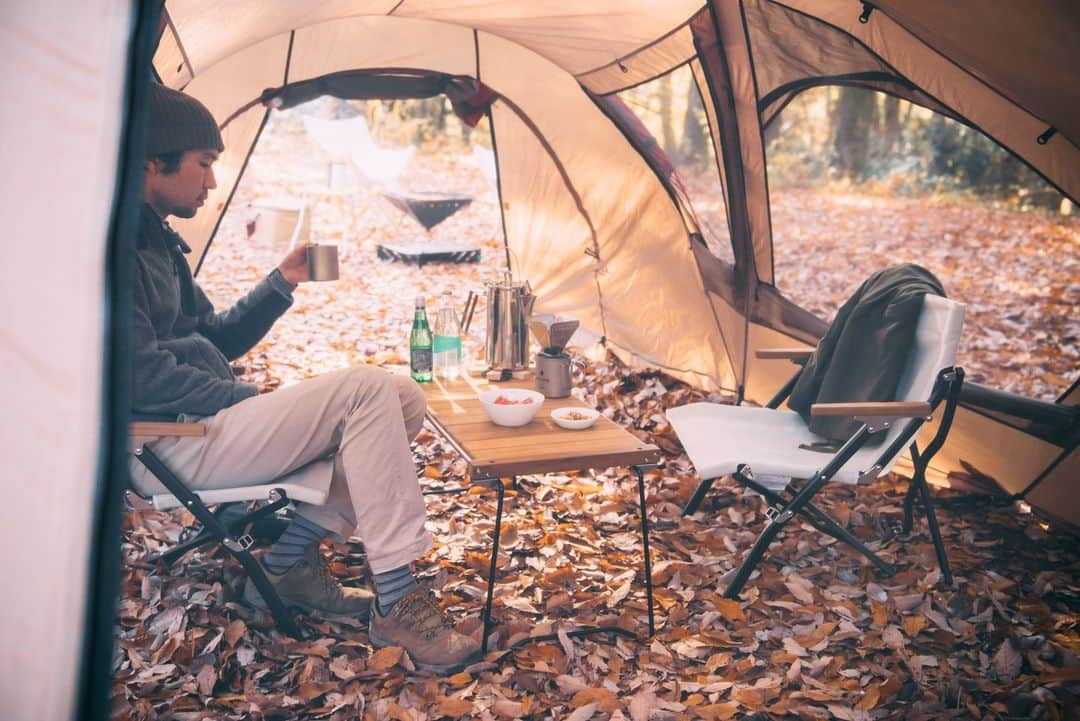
363,417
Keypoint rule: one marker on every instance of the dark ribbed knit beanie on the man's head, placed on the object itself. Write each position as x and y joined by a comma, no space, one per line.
179,123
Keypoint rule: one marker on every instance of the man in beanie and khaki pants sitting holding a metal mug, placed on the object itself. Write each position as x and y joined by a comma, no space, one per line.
364,417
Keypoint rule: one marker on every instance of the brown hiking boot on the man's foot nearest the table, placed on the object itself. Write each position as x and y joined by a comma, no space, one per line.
417,624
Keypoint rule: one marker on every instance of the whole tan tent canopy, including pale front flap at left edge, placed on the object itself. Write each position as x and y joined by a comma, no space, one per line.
591,213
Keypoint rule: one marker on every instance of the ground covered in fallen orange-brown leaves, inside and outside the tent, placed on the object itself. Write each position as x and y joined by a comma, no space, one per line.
817,635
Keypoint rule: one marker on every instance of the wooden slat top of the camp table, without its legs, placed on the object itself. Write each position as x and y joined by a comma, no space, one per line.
538,447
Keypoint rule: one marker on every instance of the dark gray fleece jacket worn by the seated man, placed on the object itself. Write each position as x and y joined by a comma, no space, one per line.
183,347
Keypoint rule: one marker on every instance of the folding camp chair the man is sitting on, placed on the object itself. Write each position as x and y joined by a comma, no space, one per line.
277,496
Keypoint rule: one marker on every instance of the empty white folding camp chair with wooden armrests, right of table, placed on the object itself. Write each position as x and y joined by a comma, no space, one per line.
759,445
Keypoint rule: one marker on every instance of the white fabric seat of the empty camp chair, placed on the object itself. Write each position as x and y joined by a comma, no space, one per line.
719,439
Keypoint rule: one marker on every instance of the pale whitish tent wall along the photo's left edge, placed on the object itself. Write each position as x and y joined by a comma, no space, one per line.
61,120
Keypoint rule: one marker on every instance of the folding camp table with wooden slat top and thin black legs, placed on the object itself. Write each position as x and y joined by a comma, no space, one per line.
494,452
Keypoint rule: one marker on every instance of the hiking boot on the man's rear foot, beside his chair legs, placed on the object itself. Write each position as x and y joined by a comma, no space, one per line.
310,587
